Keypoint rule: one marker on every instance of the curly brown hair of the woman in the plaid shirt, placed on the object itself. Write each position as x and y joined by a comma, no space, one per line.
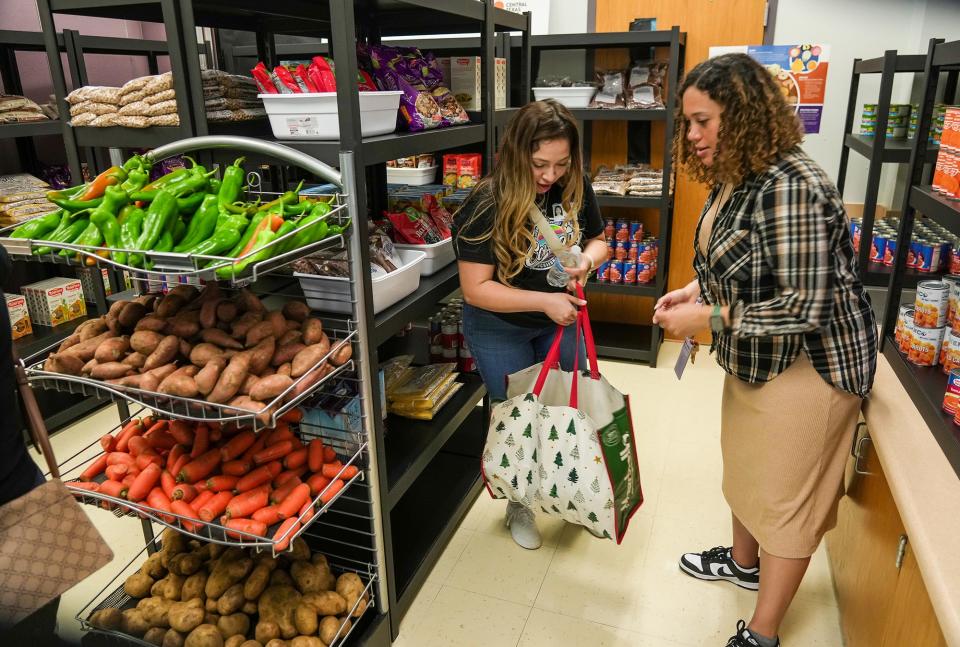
756,128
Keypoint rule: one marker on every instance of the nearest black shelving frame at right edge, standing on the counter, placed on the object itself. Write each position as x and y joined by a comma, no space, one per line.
925,385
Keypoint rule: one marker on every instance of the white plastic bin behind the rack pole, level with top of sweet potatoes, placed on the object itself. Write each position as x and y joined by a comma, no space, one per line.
332,293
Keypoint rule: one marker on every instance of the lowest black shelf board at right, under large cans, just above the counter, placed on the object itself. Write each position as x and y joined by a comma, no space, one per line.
926,386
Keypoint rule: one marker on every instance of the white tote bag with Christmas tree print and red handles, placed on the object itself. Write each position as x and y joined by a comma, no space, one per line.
563,444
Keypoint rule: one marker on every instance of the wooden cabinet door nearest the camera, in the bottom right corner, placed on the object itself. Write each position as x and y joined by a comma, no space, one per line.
912,620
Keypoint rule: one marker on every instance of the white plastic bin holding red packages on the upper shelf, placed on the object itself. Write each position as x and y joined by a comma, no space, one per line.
313,115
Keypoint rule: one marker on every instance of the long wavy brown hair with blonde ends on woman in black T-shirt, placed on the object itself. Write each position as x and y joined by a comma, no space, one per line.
511,191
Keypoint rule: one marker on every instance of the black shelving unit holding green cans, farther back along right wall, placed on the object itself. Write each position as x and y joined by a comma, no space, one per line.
880,151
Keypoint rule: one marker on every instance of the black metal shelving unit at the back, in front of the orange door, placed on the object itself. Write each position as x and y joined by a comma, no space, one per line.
638,342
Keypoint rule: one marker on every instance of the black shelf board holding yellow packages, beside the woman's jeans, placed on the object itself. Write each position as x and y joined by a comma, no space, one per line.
410,445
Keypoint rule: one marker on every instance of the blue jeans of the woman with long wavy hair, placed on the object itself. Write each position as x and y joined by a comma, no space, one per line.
500,348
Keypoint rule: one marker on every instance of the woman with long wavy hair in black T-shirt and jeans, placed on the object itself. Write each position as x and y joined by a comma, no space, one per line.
512,305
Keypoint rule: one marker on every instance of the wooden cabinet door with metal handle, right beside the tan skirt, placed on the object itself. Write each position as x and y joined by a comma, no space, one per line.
863,551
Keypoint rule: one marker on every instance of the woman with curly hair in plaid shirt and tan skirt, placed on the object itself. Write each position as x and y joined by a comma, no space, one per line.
777,285
